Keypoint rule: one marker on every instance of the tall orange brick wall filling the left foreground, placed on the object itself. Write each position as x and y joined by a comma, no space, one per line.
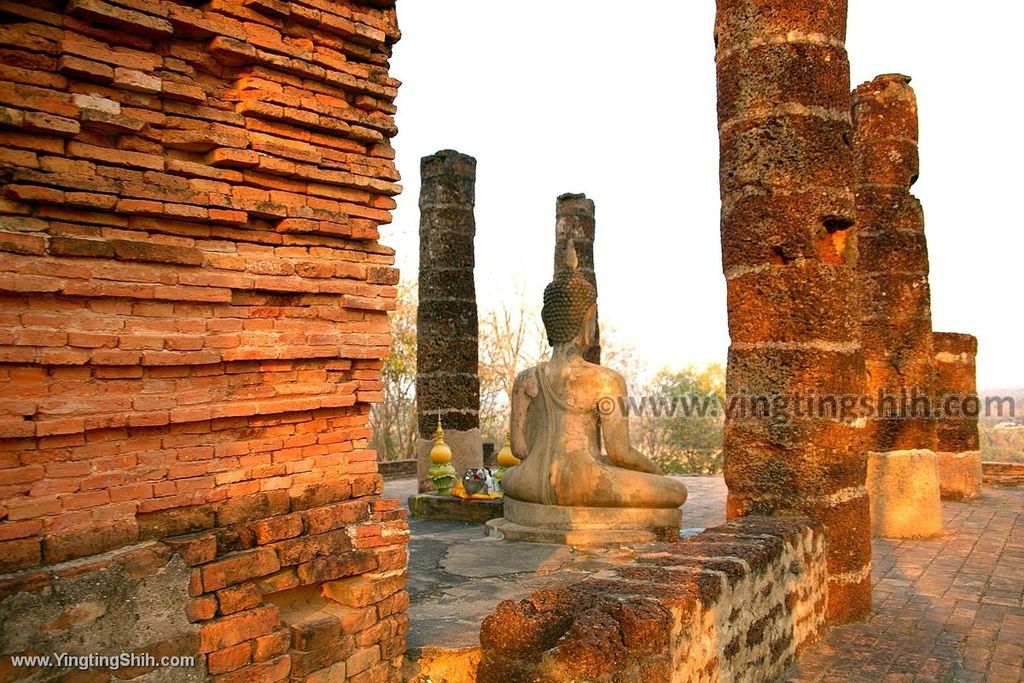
194,316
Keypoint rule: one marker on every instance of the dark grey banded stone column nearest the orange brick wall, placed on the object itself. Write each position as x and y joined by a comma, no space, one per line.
447,358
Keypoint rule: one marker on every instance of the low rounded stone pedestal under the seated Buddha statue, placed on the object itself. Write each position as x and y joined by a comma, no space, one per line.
585,527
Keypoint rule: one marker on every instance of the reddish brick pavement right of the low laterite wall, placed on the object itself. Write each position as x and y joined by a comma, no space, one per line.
950,609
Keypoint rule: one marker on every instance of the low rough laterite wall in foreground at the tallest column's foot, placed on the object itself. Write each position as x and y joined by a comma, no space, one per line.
737,603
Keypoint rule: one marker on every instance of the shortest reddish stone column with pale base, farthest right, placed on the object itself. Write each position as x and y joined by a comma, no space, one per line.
959,452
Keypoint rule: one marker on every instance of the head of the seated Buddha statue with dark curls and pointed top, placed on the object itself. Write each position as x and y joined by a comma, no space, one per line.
570,313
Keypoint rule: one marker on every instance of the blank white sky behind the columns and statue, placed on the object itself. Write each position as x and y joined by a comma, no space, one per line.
589,96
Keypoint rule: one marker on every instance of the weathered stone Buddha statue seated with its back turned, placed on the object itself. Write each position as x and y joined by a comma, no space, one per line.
565,410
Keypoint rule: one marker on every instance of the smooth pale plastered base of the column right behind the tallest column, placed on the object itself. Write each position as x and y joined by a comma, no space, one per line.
905,494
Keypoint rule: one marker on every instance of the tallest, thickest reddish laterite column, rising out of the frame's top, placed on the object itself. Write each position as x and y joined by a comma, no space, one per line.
788,207
